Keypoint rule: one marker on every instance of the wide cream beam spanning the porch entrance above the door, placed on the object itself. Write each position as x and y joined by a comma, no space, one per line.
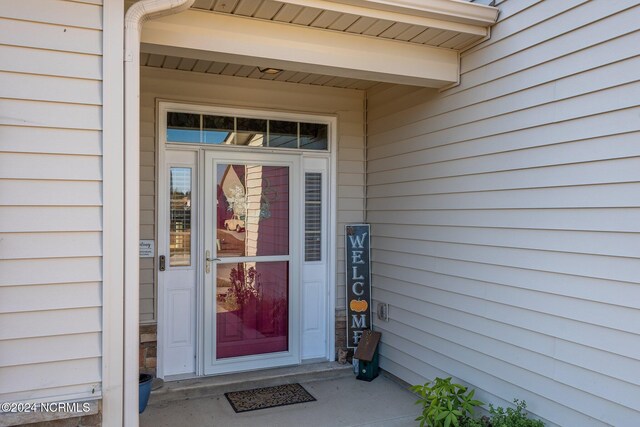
246,41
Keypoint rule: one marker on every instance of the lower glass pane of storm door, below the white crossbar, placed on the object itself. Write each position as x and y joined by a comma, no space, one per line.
251,308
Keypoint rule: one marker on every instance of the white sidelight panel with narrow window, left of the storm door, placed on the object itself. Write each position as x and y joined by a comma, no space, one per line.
178,264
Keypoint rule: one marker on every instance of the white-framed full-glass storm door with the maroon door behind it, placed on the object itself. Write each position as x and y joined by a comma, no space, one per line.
252,258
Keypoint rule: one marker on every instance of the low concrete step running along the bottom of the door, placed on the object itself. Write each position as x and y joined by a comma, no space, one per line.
216,385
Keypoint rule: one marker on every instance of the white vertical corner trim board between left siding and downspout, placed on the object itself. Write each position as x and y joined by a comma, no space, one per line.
113,215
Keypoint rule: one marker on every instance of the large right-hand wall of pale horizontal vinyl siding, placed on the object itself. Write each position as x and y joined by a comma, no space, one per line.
505,215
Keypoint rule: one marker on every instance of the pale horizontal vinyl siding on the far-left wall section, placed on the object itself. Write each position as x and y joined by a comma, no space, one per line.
50,200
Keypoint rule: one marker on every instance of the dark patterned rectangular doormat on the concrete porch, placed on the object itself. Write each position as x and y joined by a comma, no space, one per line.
268,397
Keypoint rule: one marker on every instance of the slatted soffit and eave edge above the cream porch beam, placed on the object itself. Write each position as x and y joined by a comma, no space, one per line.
451,24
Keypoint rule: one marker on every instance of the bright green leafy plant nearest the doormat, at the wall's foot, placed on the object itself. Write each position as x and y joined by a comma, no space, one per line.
445,403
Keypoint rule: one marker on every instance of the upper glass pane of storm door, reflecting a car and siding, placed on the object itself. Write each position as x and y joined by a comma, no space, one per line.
252,210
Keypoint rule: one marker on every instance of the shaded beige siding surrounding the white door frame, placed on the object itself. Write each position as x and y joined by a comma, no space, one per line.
176,85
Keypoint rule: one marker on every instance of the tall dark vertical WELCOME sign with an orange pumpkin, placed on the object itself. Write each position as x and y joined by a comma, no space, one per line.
358,260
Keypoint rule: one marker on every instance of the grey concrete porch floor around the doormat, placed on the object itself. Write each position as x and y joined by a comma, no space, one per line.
342,401
